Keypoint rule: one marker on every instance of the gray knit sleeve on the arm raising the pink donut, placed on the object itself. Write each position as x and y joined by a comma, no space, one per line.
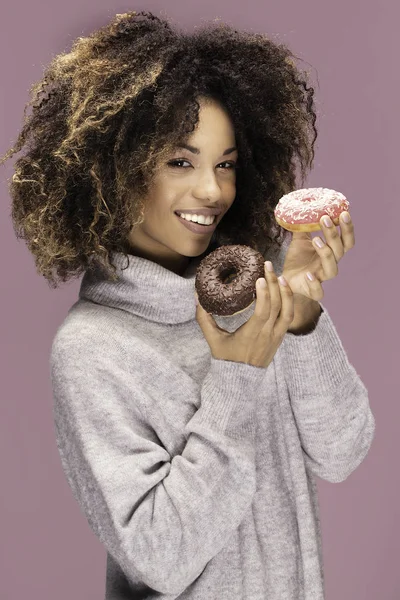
329,401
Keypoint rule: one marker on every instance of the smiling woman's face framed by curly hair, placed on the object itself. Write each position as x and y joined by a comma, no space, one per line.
198,179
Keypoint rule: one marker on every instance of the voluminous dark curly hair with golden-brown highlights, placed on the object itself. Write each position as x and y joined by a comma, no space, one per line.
108,113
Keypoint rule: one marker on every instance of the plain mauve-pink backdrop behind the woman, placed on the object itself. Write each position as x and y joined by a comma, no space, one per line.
47,550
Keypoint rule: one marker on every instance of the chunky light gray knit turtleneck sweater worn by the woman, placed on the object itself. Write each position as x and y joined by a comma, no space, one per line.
196,474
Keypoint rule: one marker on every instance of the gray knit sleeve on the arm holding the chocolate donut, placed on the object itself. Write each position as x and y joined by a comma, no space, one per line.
162,518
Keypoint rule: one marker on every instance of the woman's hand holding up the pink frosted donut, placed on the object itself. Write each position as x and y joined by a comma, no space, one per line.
304,256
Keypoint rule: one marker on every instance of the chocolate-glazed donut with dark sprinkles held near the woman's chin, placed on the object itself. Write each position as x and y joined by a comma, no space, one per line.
226,279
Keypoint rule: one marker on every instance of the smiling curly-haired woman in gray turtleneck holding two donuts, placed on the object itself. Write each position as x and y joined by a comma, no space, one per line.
191,443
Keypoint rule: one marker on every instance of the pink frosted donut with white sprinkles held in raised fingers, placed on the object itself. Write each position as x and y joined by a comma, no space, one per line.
302,209
